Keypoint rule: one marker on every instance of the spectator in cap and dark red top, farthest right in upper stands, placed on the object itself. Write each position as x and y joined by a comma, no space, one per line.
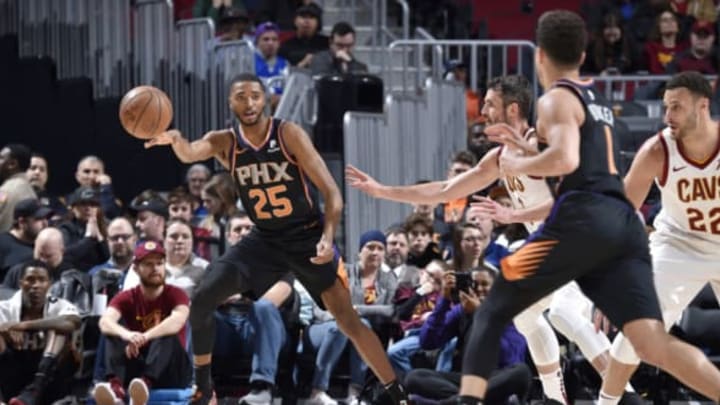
702,55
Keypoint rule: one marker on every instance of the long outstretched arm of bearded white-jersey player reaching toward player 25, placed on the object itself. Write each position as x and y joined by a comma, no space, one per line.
463,185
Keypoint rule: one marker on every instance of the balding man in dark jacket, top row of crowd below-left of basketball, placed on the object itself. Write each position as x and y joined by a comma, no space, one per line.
91,173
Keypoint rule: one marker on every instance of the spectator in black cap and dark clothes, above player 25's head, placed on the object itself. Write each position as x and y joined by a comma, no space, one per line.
308,40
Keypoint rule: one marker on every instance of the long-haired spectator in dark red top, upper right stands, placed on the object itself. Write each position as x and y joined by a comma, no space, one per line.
664,43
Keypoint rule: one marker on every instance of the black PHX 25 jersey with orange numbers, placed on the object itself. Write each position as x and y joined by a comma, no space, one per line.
275,192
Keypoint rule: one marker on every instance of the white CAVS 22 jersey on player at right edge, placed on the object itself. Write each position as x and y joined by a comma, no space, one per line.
690,193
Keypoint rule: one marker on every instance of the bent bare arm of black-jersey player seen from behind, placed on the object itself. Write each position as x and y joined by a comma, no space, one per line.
560,116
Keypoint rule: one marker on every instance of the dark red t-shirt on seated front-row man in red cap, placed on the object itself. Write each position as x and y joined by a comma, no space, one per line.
139,314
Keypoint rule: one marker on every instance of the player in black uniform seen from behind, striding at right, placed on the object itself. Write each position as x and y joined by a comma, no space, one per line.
592,233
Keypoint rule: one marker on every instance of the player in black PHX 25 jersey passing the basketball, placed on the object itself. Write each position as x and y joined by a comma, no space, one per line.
279,174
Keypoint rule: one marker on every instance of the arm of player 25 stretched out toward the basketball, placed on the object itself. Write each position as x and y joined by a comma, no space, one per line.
212,144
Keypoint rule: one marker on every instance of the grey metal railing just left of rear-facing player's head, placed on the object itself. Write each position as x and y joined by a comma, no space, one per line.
486,59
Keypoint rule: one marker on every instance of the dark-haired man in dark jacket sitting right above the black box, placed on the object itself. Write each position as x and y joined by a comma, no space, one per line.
338,59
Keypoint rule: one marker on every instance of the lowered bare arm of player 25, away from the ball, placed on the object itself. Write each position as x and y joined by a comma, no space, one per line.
308,159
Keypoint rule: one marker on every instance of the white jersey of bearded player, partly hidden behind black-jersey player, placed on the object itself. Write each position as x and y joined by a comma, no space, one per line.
526,191
